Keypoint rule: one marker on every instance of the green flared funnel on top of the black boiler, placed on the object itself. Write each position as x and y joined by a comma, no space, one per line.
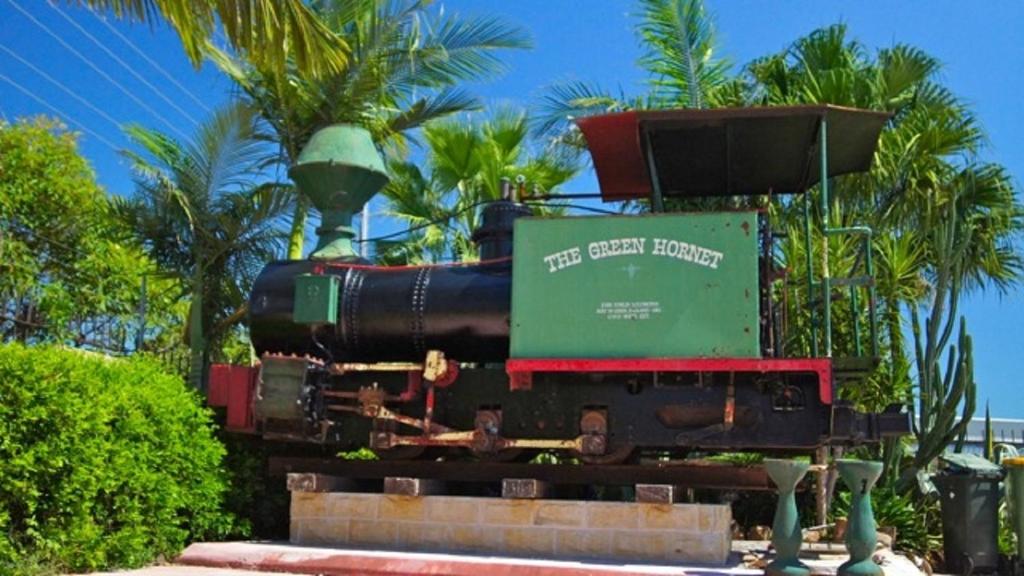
338,171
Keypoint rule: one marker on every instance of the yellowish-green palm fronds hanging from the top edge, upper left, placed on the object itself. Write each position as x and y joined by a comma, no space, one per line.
272,33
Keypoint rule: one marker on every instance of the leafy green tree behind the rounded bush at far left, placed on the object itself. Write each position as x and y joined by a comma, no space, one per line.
69,270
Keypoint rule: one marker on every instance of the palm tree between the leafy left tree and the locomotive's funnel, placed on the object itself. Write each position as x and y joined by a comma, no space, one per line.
204,220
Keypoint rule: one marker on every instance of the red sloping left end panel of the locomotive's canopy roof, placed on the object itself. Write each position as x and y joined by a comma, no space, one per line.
614,141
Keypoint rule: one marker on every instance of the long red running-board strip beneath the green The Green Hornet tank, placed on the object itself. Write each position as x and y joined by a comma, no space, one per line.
821,366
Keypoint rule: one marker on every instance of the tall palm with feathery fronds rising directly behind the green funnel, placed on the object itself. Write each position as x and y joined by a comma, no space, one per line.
404,66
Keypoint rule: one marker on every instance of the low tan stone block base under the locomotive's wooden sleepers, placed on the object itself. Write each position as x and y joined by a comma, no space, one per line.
620,531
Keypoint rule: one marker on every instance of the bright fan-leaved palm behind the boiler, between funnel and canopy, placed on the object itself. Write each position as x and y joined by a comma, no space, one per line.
468,159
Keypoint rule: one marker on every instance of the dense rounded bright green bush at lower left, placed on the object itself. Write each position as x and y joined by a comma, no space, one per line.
103,463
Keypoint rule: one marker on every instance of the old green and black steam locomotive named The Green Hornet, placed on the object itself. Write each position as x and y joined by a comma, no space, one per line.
604,337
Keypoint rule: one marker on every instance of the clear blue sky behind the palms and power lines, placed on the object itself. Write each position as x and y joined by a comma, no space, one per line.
979,44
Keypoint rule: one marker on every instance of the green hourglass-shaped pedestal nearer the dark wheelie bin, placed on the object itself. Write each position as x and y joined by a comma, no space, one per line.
862,536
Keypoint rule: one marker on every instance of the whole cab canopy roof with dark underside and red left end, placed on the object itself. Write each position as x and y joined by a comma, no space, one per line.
728,152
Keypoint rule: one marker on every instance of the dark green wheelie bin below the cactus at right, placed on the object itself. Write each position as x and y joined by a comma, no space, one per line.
969,488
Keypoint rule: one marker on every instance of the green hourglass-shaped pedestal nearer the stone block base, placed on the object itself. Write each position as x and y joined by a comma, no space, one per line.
787,536
